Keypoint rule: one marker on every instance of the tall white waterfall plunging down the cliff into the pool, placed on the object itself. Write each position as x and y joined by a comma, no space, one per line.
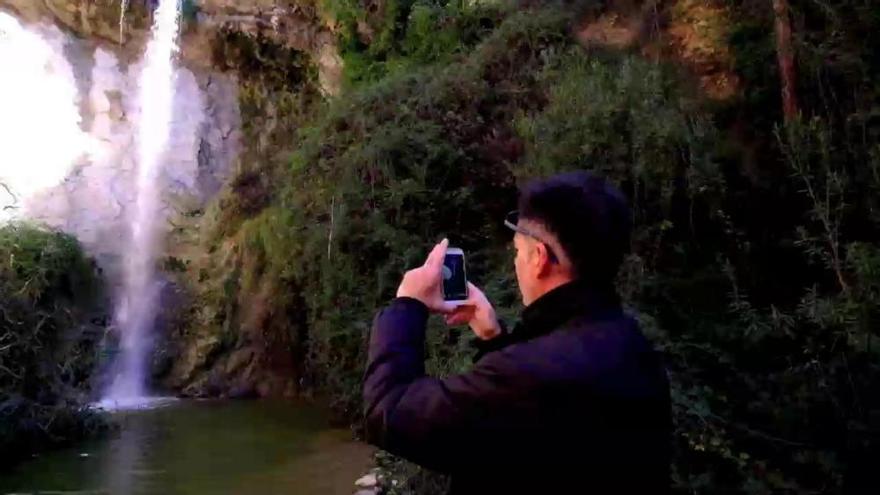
136,310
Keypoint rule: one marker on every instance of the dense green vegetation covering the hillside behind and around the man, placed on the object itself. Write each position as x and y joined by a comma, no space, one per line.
755,264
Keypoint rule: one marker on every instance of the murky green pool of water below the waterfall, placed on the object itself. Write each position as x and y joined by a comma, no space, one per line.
203,447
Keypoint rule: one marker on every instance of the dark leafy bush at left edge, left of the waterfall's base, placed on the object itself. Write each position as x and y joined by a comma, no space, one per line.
47,348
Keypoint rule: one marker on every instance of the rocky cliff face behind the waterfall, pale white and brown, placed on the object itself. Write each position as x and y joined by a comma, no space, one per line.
97,51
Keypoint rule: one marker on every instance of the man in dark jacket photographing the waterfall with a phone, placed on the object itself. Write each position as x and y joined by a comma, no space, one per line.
573,400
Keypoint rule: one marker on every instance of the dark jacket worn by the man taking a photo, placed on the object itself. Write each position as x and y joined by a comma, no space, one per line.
574,400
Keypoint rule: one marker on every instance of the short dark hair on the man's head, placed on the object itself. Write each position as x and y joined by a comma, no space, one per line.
589,217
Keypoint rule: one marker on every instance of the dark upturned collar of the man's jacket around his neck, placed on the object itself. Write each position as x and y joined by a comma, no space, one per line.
568,301
